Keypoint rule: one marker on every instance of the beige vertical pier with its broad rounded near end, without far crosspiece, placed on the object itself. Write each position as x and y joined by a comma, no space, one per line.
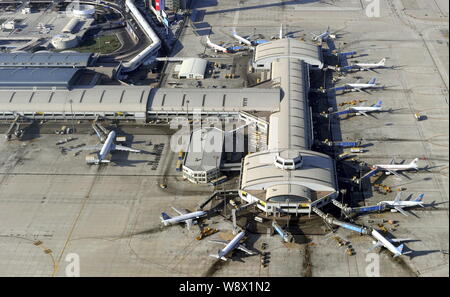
288,177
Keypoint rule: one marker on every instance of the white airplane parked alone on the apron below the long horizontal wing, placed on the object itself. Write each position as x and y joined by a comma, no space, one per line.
106,148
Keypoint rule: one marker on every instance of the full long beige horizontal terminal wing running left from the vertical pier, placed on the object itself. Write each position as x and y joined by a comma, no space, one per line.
138,103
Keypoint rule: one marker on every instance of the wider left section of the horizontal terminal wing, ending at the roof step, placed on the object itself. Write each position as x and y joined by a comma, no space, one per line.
112,102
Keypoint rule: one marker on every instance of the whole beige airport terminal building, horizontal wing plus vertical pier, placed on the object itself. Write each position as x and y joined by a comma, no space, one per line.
287,177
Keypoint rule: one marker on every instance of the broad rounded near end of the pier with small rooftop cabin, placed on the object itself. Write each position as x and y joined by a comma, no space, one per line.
309,183
